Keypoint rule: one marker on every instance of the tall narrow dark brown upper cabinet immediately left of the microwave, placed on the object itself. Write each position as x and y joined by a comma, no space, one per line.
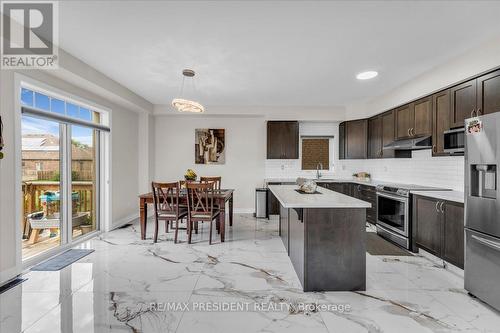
441,121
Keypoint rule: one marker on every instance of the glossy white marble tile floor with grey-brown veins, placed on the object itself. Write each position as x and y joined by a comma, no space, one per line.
246,284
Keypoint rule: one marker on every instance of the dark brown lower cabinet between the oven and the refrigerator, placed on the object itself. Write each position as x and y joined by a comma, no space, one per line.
440,228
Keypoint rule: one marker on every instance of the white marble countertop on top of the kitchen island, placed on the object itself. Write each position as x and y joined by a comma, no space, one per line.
289,198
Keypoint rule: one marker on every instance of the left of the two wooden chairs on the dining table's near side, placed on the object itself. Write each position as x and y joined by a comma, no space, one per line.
166,205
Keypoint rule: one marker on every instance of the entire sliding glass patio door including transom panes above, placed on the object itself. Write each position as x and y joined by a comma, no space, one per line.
60,172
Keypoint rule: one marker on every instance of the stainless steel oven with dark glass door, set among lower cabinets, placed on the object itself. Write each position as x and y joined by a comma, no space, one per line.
393,218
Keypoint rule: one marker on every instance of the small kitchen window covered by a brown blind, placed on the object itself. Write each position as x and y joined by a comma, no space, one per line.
315,151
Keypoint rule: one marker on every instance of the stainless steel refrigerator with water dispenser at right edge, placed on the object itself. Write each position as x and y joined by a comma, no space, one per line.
482,208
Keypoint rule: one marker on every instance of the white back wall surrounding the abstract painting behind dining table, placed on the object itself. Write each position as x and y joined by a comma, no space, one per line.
245,153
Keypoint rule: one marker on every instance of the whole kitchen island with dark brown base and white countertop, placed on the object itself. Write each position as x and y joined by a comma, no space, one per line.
324,235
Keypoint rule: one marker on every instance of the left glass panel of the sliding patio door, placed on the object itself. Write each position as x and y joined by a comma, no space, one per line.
41,185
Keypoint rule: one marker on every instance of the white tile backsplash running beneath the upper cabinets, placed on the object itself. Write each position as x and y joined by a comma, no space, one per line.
421,169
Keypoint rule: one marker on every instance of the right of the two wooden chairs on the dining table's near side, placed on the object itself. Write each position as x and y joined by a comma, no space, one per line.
201,207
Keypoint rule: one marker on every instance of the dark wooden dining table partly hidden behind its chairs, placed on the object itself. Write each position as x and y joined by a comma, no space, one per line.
220,197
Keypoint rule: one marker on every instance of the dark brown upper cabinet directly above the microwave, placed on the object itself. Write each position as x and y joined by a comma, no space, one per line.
463,103
